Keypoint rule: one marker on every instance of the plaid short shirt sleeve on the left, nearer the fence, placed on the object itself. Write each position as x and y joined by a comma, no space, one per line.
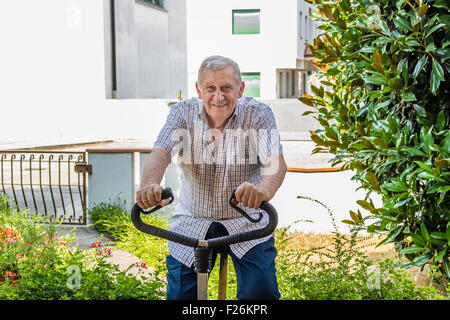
171,134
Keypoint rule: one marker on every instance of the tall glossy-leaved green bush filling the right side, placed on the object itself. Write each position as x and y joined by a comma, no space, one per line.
384,106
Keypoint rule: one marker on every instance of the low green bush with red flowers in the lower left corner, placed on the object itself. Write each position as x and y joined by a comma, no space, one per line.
37,263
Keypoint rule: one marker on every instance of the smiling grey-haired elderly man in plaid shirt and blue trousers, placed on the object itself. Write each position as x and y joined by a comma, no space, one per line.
223,140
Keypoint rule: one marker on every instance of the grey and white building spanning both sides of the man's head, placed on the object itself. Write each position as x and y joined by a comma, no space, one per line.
153,48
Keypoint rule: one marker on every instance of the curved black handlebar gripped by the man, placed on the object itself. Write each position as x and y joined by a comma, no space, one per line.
214,242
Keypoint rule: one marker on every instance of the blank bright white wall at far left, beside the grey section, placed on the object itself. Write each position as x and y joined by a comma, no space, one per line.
52,78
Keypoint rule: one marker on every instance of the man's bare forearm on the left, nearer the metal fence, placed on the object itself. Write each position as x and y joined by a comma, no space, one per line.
154,167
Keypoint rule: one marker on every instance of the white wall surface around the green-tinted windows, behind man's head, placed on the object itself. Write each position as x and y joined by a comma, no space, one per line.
209,32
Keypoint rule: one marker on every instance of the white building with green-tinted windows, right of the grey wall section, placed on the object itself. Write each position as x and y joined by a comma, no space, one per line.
266,38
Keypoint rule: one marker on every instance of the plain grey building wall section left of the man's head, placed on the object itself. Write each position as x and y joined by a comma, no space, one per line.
150,46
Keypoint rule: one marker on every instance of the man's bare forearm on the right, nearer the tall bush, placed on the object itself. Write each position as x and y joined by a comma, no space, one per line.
273,175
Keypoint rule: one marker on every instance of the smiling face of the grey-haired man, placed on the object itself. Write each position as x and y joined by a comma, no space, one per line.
219,91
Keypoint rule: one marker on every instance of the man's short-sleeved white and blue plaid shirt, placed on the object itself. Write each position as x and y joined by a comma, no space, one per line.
210,172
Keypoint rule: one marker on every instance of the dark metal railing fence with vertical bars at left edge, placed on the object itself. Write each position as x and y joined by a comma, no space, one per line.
51,183
